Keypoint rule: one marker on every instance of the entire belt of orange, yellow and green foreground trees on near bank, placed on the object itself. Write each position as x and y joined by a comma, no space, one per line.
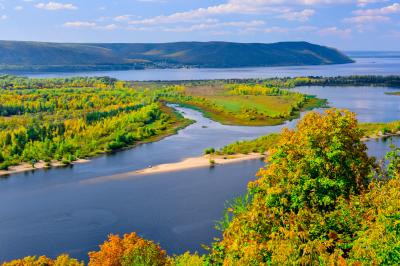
319,200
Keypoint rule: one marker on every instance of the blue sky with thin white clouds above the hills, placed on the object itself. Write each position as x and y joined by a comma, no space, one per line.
345,24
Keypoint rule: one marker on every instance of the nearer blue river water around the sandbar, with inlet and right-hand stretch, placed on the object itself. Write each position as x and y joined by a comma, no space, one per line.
73,209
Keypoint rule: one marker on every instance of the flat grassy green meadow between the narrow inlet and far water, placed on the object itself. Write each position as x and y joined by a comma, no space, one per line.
242,104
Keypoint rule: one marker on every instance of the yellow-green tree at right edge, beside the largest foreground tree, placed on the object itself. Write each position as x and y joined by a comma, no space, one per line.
378,241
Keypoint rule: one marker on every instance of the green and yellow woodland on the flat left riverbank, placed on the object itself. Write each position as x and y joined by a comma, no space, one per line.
62,120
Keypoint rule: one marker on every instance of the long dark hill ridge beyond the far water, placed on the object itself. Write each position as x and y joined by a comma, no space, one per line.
28,56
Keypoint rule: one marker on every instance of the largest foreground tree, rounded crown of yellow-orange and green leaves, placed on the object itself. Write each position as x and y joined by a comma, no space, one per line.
299,211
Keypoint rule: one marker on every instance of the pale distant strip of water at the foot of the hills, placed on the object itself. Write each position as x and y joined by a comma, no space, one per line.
363,66
